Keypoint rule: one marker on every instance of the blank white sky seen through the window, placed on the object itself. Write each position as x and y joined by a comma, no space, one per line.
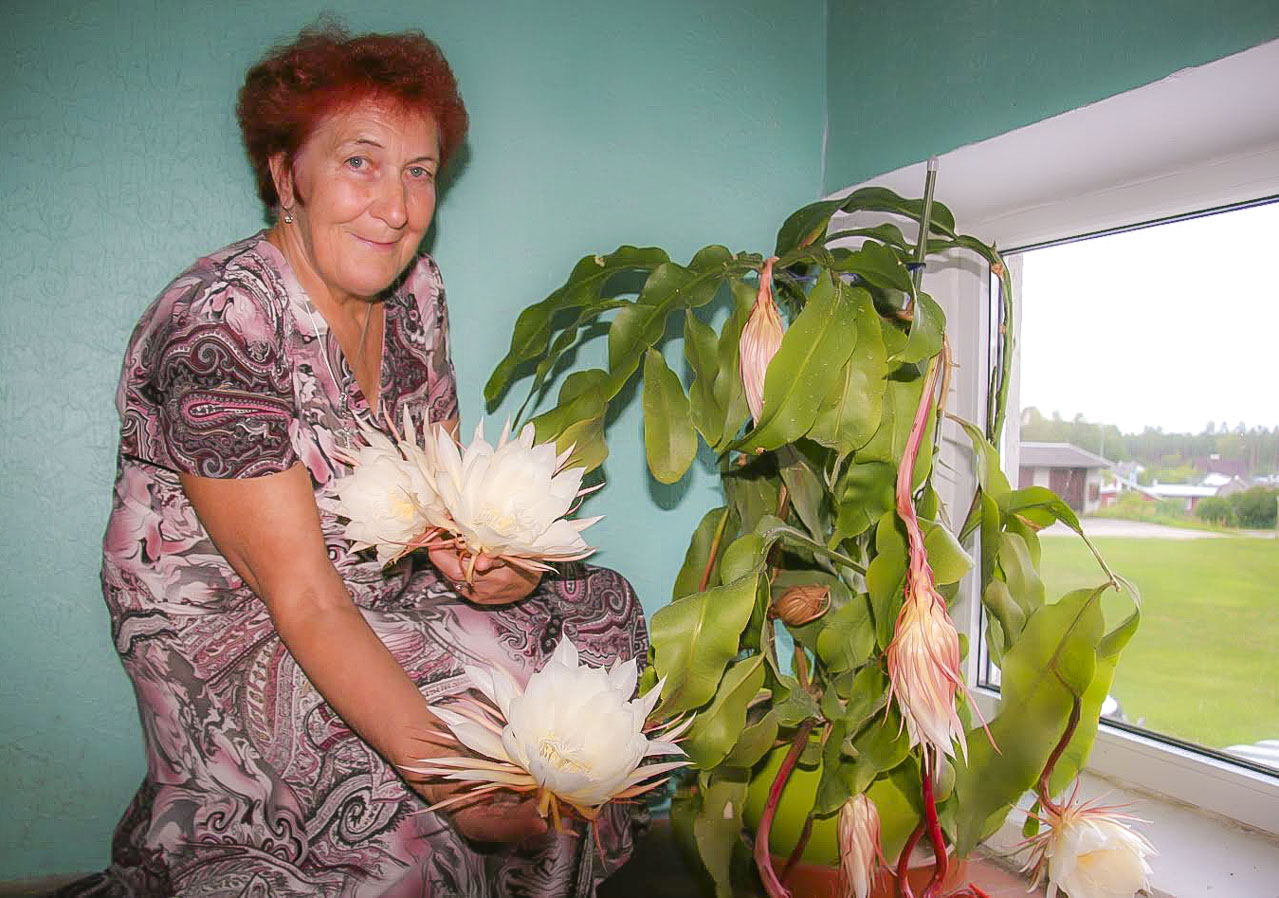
1170,327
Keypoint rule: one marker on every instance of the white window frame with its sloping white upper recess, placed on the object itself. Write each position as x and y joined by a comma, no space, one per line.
1083,173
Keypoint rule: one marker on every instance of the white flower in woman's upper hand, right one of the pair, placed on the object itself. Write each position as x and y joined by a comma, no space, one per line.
511,500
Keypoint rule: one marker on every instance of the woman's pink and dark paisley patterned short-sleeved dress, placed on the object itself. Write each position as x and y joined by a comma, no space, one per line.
254,786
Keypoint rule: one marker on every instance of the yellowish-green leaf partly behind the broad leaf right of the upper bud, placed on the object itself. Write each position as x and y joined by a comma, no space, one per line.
850,416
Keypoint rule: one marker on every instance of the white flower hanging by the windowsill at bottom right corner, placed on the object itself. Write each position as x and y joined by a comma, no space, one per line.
1089,853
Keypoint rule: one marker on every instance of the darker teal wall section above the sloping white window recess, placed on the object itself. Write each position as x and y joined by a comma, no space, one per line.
920,77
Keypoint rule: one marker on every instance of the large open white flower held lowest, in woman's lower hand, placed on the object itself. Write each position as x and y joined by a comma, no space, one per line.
572,735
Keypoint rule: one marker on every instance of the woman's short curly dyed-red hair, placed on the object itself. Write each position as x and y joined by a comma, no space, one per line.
324,70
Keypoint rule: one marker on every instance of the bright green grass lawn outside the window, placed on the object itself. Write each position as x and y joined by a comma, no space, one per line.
1204,665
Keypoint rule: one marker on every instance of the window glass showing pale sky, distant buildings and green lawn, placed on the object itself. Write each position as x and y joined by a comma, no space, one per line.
1150,402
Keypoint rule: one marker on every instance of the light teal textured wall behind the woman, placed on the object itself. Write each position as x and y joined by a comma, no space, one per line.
666,122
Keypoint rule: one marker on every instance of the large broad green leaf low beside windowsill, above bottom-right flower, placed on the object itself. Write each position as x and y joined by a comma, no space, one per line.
1055,661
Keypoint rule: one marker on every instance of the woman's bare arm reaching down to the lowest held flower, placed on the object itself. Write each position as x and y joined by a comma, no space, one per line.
269,530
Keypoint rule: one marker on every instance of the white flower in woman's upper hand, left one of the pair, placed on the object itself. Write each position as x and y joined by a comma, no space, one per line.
389,501
